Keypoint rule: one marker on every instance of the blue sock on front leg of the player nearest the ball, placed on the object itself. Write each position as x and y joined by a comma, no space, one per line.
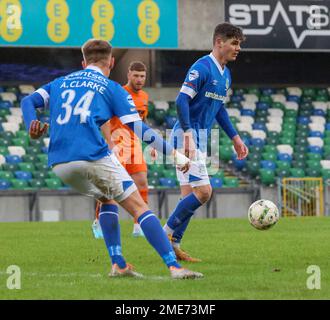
183,212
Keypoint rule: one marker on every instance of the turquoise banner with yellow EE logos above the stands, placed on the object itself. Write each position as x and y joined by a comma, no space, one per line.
125,23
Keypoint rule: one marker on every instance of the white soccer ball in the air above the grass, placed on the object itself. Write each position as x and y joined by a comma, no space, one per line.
263,214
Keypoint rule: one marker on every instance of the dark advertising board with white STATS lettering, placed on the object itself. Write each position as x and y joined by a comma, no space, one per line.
282,24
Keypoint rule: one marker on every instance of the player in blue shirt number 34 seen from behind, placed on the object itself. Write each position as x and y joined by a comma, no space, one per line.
80,103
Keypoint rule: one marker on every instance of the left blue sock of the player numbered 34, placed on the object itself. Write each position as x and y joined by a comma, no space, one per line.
109,223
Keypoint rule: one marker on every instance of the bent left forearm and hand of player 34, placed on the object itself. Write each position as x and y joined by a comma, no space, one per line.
32,124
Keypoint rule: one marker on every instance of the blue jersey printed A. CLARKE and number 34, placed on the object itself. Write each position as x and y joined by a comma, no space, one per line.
80,103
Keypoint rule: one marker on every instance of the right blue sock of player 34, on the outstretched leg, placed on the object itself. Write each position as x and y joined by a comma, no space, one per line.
156,236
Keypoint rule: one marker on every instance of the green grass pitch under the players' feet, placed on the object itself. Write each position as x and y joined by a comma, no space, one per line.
61,260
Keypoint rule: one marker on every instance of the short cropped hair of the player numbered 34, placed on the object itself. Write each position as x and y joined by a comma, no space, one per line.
95,50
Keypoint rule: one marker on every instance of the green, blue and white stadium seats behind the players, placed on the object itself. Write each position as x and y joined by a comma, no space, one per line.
287,131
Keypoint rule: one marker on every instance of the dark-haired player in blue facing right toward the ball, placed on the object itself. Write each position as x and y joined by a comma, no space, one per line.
201,101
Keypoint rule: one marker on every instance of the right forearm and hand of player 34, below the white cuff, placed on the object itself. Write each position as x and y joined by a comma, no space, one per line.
146,134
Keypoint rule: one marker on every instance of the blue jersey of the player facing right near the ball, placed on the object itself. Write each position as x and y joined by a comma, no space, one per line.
207,83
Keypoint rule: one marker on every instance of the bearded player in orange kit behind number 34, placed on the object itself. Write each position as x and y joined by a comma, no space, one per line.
125,144
